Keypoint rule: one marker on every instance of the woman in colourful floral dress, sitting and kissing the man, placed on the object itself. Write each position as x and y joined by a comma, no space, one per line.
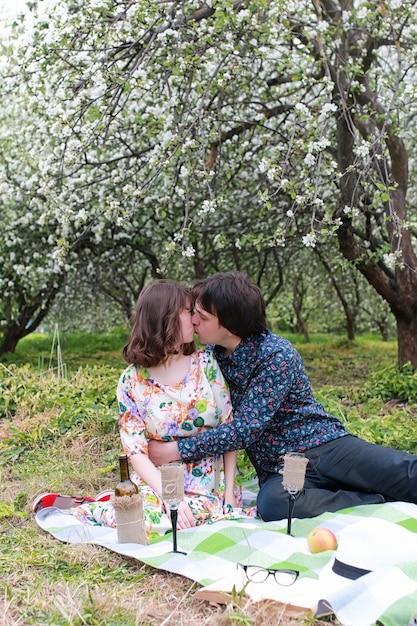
170,390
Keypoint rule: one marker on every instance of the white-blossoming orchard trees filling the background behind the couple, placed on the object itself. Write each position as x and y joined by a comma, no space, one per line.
147,139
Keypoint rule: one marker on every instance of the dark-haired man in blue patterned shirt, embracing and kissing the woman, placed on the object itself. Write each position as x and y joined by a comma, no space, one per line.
275,412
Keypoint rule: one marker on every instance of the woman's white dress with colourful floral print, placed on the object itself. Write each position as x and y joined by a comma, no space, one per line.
151,410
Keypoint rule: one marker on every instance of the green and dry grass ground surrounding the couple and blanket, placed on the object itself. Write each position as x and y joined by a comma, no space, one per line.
59,433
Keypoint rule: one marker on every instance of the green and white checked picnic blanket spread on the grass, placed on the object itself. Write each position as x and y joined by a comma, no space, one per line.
379,539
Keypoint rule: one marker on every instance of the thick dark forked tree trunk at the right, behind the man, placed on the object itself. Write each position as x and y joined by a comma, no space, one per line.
397,286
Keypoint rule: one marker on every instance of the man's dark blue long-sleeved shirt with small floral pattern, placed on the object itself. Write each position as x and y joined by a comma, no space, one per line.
274,409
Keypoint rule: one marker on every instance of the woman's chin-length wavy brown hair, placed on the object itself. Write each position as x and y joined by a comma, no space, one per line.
155,325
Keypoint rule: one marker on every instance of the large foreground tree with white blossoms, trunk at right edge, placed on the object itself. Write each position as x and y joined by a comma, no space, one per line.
227,132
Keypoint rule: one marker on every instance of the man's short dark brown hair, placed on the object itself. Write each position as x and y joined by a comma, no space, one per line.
235,299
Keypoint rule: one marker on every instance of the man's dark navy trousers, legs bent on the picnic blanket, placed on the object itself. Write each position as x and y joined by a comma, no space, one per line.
342,473
